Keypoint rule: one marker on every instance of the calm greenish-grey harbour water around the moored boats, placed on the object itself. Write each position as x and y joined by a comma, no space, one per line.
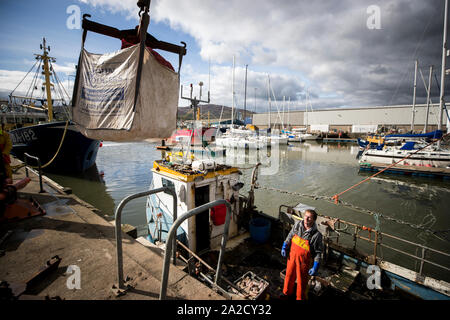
306,168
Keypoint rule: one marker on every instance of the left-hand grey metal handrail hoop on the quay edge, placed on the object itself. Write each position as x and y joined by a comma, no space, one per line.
118,226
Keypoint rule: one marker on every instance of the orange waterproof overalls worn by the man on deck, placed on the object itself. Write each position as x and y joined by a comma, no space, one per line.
298,265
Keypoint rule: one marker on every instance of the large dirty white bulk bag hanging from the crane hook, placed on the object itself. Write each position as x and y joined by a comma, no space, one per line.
106,105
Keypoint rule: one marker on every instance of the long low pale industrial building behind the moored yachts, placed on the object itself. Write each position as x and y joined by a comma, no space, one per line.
357,120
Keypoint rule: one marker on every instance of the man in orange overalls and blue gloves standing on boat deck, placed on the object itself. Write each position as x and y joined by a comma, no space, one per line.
304,245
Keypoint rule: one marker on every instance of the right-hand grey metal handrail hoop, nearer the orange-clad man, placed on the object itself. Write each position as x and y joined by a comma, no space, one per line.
172,232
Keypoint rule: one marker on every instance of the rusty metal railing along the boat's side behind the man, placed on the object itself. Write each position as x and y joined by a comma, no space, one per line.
374,241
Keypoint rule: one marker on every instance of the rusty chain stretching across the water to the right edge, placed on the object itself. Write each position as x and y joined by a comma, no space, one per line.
376,215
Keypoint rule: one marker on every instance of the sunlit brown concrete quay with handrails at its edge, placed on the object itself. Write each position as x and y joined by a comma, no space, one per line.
72,230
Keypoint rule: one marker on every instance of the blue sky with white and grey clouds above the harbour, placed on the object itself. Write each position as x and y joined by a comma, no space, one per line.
338,53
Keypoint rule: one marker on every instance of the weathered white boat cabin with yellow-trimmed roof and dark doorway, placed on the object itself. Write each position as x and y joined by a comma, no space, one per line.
194,184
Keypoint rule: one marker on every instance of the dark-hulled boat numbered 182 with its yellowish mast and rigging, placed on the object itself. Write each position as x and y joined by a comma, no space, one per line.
56,142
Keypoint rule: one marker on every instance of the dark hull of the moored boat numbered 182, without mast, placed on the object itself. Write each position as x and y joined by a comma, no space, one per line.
77,153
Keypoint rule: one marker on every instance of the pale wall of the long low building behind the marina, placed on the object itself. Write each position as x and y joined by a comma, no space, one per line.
343,119
